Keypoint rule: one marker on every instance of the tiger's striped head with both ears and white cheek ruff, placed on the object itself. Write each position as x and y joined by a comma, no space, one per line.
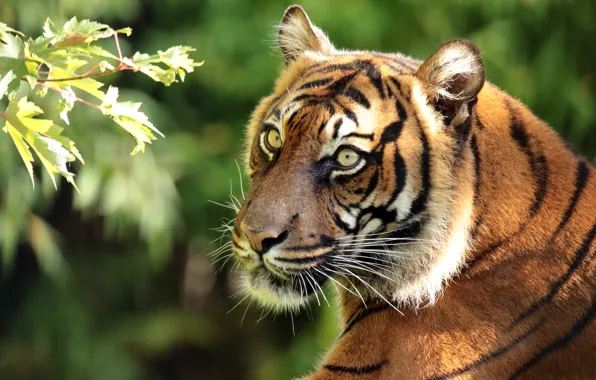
357,173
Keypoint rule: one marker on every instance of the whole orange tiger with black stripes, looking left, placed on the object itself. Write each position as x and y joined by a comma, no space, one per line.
457,227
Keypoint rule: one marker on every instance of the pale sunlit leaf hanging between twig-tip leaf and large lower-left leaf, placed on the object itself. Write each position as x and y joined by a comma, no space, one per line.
128,116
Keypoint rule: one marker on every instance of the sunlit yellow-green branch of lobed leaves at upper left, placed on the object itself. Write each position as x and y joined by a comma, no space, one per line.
65,61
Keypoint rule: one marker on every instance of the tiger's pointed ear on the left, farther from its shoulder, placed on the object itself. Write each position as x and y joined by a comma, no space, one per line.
298,35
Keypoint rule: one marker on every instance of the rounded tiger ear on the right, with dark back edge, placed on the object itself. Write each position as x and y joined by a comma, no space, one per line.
453,76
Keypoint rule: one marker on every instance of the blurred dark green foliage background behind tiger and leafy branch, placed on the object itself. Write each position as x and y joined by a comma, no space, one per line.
114,282
